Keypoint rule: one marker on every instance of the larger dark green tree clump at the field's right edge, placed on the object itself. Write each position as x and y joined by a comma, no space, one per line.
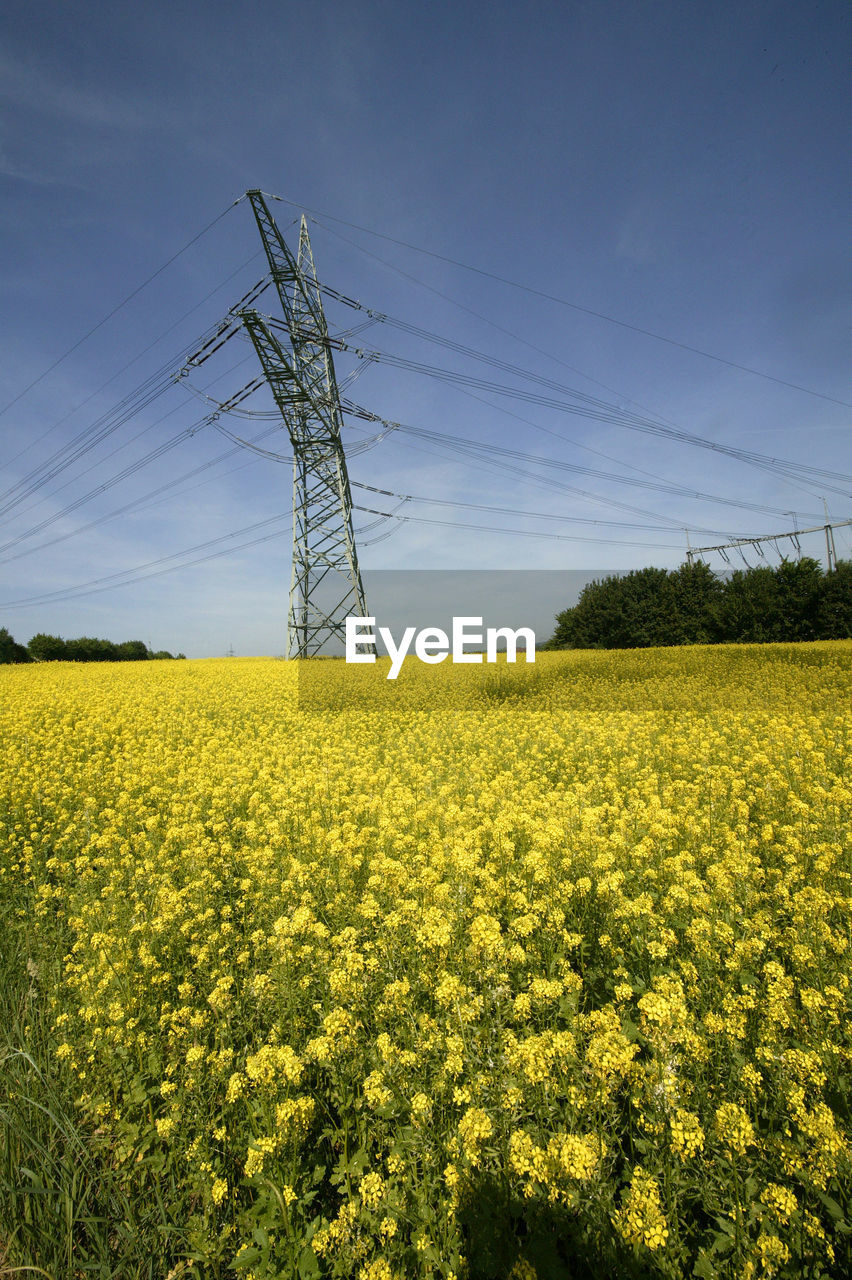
795,601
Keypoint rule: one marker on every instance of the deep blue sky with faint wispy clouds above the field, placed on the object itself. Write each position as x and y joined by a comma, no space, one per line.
682,170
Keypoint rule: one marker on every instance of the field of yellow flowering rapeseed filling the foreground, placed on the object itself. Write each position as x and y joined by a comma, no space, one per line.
489,972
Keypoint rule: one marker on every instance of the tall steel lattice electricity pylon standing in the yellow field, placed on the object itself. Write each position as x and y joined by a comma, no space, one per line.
301,377
